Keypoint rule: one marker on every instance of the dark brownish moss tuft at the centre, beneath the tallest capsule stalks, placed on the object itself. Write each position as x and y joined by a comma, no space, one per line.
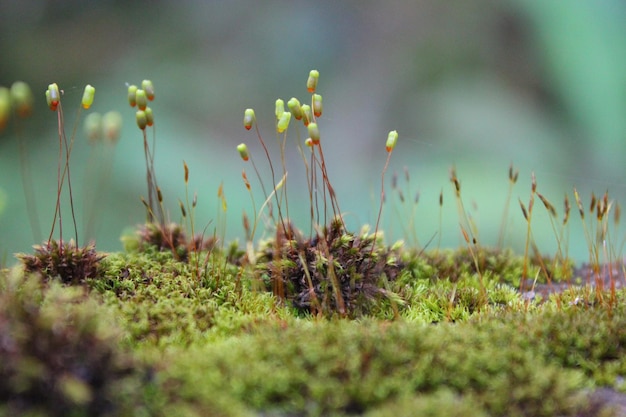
332,273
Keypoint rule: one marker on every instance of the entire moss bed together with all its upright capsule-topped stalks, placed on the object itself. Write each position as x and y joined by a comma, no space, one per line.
311,321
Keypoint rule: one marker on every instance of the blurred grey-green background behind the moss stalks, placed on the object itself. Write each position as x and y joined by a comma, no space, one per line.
476,84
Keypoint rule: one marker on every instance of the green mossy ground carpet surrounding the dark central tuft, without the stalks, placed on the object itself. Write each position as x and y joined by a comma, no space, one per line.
149,335
